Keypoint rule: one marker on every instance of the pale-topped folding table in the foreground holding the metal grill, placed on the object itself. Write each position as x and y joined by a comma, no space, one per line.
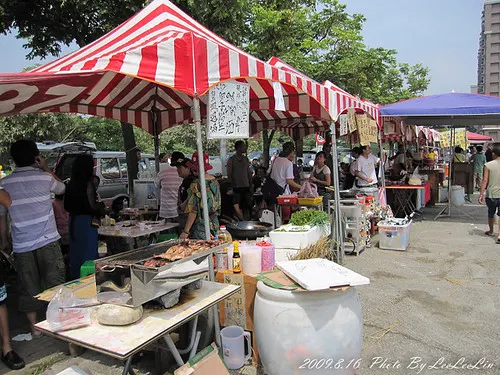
123,342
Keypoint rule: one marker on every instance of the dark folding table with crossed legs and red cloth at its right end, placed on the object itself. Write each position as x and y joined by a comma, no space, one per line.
405,197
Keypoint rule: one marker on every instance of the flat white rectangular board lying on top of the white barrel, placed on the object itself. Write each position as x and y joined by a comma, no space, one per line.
321,274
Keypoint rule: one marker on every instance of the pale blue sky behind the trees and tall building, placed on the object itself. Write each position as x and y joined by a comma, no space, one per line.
441,34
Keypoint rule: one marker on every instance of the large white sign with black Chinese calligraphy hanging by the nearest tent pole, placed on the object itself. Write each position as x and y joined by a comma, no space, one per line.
228,111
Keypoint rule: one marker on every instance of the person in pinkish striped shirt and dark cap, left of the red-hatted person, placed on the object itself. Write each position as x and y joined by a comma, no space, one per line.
169,182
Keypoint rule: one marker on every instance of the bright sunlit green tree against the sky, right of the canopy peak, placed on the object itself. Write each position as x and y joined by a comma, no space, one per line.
324,42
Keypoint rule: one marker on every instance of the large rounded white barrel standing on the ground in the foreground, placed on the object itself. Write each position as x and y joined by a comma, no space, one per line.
308,332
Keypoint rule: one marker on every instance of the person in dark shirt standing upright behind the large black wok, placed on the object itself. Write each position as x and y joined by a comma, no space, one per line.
240,176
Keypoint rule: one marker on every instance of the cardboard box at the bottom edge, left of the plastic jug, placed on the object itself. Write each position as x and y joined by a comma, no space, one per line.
206,362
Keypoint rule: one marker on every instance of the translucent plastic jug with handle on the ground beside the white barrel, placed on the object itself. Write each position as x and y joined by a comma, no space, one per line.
233,346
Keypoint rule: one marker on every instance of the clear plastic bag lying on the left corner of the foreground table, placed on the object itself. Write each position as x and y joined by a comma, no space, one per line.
63,316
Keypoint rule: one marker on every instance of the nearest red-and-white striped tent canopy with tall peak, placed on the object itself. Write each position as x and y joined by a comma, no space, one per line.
158,61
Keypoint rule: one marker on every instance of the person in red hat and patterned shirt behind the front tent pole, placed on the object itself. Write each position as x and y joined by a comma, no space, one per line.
194,227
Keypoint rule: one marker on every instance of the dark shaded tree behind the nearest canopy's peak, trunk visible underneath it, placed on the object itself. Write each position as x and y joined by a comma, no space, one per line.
49,24
